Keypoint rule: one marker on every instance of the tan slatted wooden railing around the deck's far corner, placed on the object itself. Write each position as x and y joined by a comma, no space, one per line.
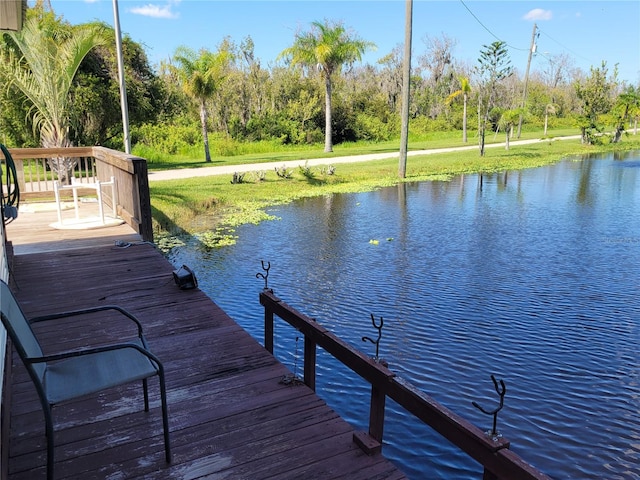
36,178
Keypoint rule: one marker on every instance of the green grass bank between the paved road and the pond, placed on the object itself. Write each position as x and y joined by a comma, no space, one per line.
215,205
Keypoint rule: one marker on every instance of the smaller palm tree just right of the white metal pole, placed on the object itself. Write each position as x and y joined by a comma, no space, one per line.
200,75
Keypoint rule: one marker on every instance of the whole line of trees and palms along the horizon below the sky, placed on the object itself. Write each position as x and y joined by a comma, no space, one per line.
59,88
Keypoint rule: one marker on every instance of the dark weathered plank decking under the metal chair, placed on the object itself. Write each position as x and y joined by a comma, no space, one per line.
230,417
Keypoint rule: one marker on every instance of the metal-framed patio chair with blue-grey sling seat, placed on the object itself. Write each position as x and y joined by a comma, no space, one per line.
64,376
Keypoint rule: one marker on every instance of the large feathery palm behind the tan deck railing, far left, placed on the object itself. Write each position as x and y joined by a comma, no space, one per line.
41,61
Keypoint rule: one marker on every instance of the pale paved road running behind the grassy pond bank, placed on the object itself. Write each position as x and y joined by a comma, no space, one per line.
254,167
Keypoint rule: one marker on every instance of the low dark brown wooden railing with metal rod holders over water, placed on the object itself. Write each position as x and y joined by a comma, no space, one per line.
492,453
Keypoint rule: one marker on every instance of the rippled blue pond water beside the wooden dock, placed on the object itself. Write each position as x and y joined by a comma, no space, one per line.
531,276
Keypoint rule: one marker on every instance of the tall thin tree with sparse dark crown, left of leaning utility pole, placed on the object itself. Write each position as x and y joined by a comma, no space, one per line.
494,66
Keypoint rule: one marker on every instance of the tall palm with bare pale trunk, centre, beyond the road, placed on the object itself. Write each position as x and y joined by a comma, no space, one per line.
327,46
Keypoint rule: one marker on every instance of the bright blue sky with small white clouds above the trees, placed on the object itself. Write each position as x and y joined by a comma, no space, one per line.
588,31
